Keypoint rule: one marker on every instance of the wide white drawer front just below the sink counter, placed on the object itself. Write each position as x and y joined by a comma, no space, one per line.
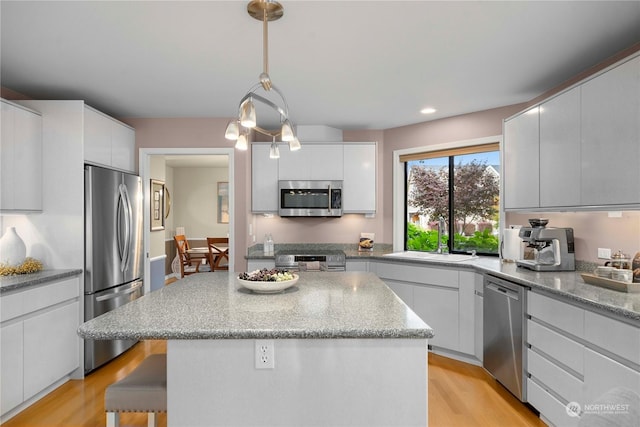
418,274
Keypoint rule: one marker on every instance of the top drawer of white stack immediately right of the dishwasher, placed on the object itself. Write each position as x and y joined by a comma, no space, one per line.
559,314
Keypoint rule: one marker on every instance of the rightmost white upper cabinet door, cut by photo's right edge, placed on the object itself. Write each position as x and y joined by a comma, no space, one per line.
610,137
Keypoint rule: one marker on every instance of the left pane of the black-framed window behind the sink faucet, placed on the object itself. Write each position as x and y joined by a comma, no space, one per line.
427,200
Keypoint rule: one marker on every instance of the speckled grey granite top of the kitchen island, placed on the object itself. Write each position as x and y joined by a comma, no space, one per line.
214,306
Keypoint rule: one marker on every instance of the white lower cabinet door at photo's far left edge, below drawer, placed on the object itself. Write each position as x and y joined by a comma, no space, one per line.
11,367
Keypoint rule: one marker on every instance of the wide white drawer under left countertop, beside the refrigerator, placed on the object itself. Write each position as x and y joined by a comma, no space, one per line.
22,302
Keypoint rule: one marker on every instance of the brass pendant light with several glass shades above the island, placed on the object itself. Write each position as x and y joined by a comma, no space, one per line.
238,130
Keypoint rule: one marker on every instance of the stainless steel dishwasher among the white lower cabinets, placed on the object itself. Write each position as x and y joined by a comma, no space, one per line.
503,342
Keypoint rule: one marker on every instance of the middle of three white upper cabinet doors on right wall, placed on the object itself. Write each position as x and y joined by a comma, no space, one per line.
560,150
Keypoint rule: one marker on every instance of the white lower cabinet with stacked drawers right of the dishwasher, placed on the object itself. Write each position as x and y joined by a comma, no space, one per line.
575,356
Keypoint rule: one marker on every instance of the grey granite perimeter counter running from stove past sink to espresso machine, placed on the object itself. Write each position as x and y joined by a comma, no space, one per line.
566,285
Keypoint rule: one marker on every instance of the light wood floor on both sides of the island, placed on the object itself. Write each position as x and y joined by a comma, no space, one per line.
460,395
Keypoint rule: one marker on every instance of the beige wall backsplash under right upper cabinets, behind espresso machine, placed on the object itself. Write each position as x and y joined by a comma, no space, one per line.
592,230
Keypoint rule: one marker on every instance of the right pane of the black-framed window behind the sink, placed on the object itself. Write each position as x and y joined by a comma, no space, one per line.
476,192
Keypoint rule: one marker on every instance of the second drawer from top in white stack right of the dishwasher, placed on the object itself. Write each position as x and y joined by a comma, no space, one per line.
557,346
